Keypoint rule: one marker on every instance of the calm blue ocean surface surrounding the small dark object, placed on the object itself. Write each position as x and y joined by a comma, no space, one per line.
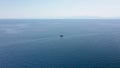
33,43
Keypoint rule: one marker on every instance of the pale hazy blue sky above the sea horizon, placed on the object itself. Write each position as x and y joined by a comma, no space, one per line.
59,8
